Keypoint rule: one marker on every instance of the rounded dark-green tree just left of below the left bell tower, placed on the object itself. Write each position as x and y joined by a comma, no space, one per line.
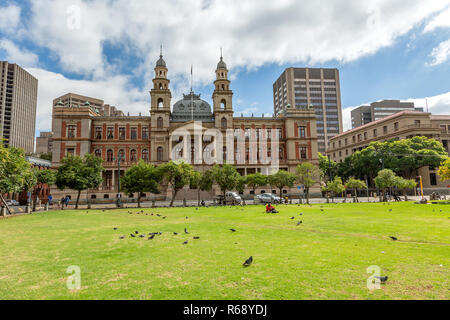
140,178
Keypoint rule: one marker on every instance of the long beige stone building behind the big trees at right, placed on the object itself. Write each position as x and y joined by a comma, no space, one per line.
401,125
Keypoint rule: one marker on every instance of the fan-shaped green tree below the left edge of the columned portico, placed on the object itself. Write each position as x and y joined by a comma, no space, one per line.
177,175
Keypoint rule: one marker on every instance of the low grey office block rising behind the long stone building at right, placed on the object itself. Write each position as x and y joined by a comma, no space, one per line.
379,110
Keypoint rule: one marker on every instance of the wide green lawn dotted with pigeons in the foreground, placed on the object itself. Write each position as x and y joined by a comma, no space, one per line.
326,257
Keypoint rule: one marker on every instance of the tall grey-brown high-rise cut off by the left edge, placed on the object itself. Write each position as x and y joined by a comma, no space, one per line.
18,101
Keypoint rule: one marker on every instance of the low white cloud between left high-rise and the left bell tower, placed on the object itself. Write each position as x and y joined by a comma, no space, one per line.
114,91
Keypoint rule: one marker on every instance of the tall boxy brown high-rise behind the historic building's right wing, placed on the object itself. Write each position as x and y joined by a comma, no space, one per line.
312,88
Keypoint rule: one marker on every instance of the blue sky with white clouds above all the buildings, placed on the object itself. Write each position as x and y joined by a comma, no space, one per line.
107,49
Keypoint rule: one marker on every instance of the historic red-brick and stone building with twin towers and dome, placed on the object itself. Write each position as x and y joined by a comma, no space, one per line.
252,144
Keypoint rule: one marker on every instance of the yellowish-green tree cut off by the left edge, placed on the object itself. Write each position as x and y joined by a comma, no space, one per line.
13,171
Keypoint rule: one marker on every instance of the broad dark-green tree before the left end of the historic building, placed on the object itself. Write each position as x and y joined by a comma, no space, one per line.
79,174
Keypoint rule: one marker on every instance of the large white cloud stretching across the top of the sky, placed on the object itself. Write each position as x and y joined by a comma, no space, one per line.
252,33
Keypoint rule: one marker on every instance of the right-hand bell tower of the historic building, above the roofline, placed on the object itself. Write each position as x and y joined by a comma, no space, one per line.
222,97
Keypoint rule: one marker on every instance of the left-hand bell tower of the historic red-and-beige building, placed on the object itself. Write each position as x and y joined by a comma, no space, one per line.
160,112
